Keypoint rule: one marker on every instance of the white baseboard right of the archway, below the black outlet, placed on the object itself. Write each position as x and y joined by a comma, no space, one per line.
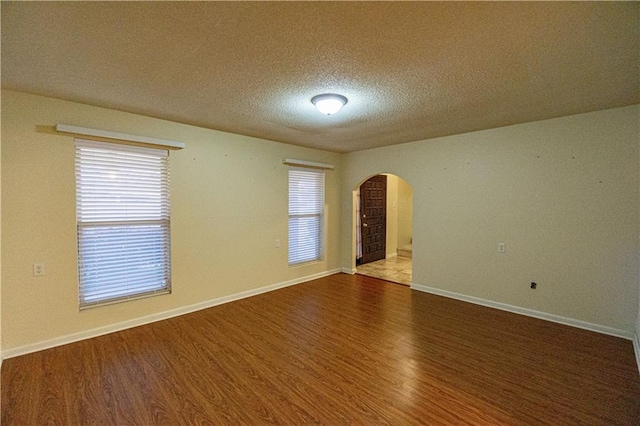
525,311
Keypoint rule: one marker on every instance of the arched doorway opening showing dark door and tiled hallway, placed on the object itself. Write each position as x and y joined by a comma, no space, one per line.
383,218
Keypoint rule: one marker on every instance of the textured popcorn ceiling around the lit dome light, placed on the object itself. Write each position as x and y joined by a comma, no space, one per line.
411,70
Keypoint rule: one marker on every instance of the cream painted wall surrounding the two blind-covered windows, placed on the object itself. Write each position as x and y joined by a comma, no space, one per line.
228,206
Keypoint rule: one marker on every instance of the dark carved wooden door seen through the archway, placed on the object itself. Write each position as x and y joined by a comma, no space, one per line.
373,211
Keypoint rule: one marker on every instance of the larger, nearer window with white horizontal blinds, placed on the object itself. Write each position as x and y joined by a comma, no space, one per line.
122,204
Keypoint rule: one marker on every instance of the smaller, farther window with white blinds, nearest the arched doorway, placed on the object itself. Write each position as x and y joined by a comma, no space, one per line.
306,215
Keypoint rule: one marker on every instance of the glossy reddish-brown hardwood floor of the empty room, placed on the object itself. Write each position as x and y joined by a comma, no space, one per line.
345,349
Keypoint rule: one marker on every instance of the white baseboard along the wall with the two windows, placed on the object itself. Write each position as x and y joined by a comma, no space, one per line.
75,337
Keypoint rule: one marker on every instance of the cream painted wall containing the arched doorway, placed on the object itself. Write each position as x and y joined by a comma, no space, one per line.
562,194
